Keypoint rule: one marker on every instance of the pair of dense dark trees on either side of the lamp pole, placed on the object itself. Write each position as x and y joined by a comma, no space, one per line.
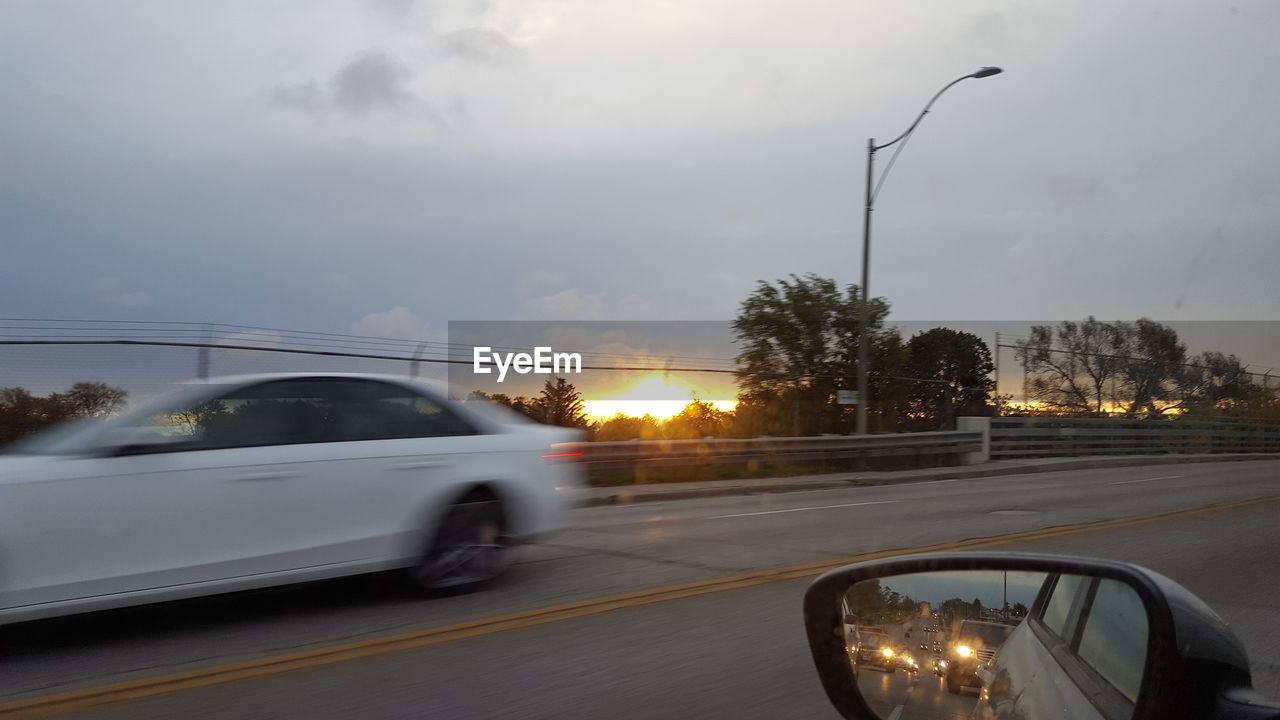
799,341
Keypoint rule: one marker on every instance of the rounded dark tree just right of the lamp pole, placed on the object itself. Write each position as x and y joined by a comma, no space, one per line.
956,379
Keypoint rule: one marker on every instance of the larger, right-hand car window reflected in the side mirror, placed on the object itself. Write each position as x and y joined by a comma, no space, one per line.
1114,640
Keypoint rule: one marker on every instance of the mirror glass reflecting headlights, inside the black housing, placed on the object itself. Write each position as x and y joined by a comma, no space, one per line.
982,644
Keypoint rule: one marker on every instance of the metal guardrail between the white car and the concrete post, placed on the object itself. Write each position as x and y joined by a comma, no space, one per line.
693,453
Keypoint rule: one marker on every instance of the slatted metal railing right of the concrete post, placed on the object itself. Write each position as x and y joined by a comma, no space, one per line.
1050,438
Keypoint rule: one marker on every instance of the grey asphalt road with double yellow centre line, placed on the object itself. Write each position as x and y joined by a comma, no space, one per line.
723,639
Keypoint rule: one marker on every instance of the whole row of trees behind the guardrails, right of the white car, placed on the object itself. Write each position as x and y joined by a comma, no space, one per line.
799,340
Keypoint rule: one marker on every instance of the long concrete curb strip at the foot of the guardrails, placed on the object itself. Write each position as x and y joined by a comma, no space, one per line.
628,495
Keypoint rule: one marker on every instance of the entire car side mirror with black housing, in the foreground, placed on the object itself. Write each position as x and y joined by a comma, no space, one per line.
1030,636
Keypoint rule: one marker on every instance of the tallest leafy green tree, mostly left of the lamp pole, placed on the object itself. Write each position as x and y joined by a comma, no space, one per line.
799,345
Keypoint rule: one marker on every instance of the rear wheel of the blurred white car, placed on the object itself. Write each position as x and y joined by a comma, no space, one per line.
468,550
